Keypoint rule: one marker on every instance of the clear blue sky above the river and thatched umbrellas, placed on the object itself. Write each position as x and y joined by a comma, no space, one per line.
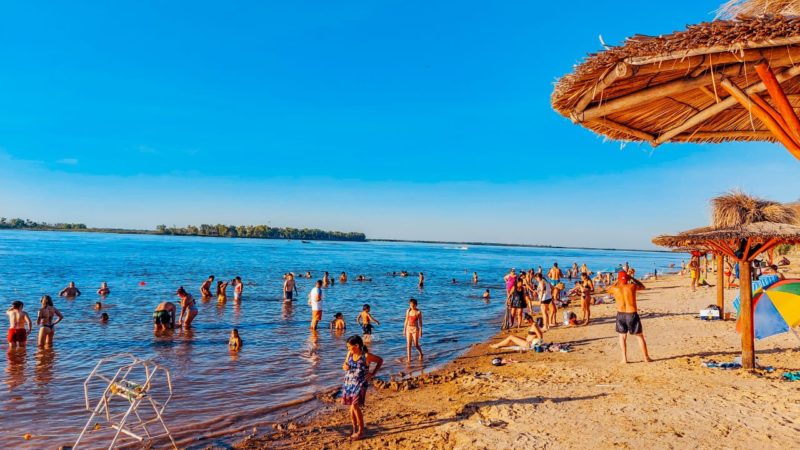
401,119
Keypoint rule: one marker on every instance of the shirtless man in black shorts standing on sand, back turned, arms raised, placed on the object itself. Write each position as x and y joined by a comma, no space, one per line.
628,321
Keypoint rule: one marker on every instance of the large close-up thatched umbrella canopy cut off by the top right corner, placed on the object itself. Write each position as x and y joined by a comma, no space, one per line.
703,84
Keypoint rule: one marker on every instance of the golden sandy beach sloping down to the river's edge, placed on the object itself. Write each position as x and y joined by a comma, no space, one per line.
585,398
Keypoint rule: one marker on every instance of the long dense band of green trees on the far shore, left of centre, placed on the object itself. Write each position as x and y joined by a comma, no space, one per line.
261,232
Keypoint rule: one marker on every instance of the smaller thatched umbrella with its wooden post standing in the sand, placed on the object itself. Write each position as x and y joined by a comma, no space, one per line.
742,228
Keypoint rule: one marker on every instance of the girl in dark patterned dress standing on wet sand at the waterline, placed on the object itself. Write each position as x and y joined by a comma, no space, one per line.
356,380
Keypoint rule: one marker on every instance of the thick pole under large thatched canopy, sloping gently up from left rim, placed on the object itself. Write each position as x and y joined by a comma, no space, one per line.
643,96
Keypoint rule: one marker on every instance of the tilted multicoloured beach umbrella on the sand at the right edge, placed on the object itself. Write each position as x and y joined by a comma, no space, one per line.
776,309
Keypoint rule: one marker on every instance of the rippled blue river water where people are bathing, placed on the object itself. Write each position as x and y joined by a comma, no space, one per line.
282,361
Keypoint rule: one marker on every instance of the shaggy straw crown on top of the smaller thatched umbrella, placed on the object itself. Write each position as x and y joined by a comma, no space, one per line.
737,208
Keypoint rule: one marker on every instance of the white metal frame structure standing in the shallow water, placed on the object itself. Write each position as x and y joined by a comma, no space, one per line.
118,386
